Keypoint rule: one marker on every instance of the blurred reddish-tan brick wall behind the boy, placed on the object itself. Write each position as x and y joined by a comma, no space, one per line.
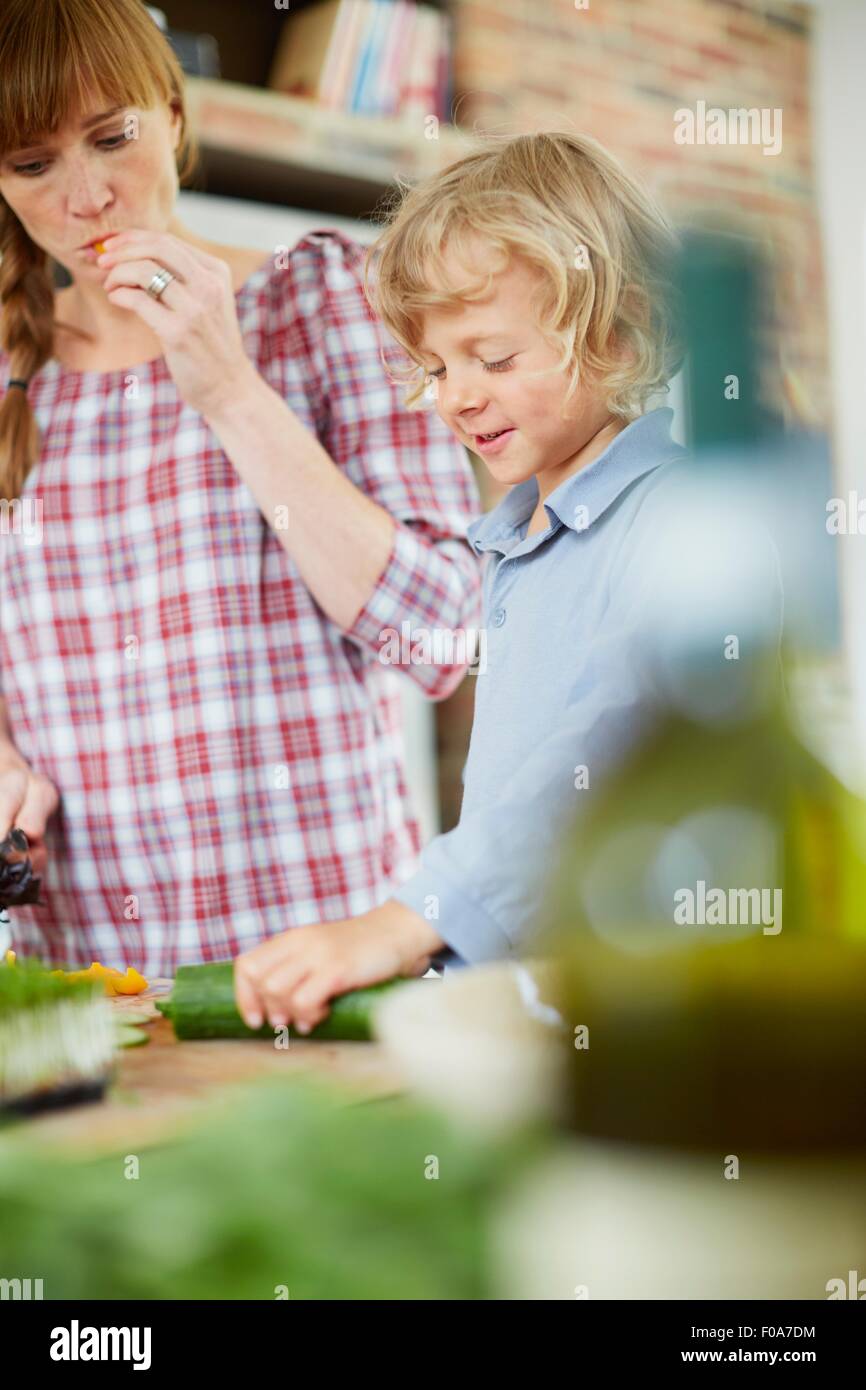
619,72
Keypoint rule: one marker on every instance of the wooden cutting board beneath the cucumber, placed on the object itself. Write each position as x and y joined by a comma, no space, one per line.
165,1088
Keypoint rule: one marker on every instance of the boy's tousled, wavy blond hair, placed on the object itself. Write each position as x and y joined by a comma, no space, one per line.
565,206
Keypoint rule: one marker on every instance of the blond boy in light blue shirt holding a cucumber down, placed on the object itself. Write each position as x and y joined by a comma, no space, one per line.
528,286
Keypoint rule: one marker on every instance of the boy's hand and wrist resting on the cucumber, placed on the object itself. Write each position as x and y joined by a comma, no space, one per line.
291,978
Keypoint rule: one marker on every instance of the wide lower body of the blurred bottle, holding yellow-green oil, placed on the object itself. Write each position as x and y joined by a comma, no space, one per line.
710,918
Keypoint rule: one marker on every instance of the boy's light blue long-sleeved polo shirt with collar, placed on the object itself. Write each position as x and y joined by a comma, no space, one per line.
557,692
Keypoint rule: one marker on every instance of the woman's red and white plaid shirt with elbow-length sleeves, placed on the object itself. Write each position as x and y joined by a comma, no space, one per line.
229,760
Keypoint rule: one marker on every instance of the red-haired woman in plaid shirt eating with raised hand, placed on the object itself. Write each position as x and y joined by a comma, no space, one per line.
218,508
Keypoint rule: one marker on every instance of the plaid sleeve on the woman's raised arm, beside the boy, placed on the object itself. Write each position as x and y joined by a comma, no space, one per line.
426,608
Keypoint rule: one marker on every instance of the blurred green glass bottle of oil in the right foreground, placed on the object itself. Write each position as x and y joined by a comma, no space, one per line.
710,907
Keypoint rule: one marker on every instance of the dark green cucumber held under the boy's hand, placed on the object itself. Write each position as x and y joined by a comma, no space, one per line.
202,1006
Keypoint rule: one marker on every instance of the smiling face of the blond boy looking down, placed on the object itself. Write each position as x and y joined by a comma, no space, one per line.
482,357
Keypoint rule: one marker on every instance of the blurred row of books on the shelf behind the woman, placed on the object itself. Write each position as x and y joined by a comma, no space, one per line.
372,58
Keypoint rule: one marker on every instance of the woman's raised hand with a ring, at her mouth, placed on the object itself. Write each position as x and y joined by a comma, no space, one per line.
195,318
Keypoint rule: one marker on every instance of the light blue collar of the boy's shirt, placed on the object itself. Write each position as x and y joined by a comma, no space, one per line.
582,500
